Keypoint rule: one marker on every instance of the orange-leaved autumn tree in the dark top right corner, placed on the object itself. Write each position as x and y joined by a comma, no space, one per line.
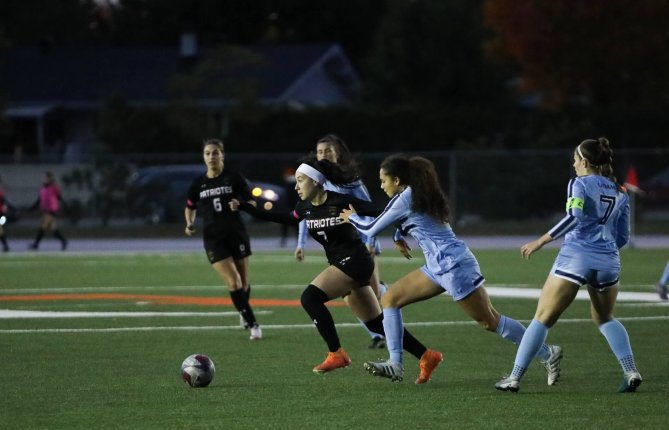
604,52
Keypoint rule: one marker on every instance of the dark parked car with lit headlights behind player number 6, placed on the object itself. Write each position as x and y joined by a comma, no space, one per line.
158,193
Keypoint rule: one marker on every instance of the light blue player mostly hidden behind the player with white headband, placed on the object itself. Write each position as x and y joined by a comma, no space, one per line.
333,148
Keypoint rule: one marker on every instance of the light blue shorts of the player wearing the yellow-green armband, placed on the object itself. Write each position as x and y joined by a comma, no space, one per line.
598,271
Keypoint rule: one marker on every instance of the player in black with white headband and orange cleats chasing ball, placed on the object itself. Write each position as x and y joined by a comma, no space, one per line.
351,264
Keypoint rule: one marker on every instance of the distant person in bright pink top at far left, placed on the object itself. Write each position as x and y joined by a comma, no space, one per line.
49,202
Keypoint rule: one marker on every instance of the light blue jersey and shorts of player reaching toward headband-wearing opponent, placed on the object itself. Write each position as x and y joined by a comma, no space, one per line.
443,251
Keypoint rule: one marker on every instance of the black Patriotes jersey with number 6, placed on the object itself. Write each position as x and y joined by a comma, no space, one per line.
210,196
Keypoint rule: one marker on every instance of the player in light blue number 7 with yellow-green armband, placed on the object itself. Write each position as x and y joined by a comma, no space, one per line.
595,227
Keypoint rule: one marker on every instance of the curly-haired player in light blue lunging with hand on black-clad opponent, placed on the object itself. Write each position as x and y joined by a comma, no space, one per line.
418,207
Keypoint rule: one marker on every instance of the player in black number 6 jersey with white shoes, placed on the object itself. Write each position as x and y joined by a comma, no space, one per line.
226,241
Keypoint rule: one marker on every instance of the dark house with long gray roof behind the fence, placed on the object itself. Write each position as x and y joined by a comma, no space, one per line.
53,95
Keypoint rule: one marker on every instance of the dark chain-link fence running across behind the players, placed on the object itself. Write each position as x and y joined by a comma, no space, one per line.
481,185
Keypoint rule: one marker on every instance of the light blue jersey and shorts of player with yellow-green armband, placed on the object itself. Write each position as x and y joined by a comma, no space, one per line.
595,227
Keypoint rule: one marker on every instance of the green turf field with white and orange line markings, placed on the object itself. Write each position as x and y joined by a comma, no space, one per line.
112,361
